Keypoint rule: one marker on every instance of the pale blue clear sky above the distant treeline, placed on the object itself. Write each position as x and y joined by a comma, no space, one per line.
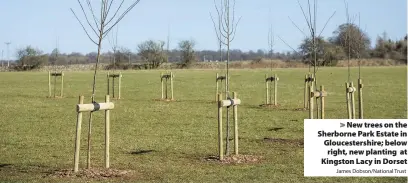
41,23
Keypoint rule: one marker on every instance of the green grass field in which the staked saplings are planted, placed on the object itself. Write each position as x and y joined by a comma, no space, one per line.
171,141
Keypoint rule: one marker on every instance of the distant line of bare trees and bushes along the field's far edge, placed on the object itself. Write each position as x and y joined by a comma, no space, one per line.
347,41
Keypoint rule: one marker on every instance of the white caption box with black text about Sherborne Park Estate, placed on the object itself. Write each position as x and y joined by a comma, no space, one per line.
361,151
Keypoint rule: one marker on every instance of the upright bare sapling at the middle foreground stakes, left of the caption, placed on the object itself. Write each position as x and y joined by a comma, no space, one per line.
227,26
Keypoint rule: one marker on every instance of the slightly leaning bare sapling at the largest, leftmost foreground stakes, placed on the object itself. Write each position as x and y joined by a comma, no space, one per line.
100,28
